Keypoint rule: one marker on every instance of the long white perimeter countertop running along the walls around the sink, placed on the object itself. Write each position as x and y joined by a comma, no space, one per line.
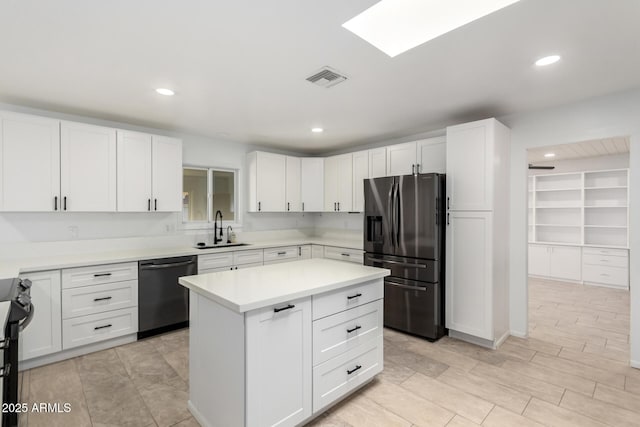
14,267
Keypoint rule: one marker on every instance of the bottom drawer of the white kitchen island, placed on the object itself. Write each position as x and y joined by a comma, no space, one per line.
343,373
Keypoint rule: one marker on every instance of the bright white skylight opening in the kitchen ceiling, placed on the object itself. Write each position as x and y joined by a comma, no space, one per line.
395,26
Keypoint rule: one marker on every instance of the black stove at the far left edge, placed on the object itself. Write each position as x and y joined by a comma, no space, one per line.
18,292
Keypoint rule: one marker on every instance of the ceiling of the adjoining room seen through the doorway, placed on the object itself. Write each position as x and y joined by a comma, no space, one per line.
579,150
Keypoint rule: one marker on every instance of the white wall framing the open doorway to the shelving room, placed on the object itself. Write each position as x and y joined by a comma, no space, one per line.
603,117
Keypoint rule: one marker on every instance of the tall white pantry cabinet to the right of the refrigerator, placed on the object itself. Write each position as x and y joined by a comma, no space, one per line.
477,258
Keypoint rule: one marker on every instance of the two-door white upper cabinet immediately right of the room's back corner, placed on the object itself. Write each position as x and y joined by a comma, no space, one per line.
338,183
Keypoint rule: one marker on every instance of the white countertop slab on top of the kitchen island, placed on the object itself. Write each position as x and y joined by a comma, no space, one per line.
252,288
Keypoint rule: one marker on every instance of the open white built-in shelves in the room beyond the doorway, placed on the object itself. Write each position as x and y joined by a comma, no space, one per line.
580,208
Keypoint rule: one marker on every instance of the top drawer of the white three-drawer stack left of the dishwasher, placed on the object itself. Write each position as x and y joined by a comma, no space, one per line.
99,274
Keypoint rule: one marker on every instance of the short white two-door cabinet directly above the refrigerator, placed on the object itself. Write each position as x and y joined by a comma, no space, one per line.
423,156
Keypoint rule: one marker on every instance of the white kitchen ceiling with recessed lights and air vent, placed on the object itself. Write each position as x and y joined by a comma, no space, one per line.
239,67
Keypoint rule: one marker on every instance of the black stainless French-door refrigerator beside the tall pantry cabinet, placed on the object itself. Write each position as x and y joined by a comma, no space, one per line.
404,231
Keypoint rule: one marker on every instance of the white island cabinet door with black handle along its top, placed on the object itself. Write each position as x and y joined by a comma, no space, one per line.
281,341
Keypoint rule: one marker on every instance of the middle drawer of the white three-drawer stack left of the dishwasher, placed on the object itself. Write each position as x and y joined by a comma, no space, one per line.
99,298
